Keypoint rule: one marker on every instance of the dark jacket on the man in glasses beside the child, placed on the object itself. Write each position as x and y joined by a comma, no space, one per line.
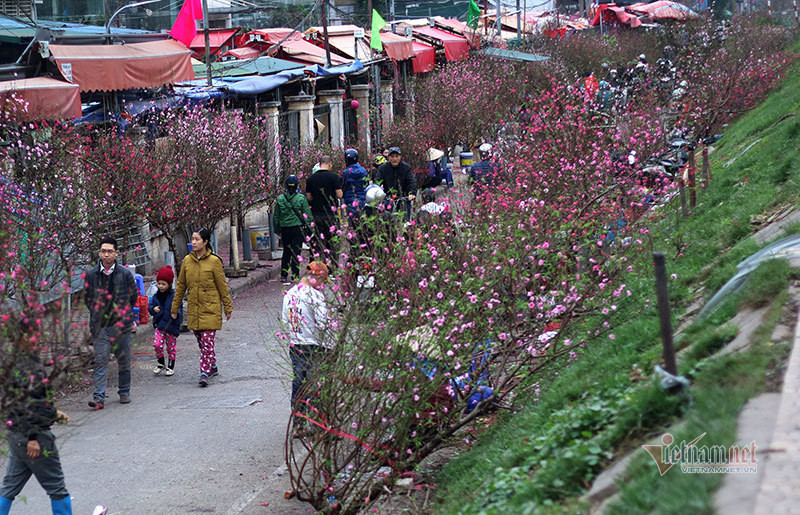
105,311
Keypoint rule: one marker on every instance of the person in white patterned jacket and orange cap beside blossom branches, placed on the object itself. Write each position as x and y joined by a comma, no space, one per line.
306,320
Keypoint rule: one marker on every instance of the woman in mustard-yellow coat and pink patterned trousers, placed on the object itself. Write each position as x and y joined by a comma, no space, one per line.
201,273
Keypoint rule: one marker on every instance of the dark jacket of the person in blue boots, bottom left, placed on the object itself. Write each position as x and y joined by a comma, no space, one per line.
35,411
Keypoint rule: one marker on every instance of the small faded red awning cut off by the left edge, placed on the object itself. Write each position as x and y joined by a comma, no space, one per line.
47,99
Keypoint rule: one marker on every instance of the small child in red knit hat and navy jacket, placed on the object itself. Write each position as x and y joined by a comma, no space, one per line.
167,329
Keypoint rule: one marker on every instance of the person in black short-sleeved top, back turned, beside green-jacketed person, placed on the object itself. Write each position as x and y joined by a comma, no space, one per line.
323,191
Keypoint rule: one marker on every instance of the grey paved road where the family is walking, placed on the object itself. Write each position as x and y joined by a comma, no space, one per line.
179,448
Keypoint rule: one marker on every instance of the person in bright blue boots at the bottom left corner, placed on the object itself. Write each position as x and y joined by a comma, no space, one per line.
31,445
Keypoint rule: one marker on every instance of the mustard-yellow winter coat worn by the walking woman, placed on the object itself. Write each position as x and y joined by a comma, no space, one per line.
207,292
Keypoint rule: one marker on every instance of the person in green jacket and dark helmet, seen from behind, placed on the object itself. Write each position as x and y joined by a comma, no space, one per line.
291,220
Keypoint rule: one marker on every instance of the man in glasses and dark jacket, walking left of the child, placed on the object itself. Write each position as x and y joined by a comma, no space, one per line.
110,295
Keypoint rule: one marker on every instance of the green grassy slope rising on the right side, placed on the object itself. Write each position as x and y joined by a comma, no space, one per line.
765,177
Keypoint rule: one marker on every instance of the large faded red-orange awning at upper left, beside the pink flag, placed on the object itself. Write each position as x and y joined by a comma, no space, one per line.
119,67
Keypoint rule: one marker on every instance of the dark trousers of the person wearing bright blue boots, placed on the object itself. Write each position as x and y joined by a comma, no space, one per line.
46,468
